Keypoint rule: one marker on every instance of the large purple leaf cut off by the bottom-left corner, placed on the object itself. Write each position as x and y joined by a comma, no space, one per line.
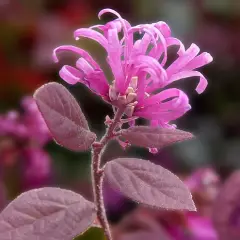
46,214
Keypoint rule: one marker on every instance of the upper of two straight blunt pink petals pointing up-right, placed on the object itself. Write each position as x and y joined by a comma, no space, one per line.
183,60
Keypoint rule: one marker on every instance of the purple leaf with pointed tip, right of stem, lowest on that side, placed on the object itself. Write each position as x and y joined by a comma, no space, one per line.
149,184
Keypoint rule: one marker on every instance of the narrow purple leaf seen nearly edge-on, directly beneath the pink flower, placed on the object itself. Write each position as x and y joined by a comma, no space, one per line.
154,137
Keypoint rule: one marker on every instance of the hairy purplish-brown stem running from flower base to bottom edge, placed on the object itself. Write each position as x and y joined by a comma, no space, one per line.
97,172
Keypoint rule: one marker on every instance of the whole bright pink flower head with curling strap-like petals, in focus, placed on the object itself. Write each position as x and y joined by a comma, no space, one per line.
139,68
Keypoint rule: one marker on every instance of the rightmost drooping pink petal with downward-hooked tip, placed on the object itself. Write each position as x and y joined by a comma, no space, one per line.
185,74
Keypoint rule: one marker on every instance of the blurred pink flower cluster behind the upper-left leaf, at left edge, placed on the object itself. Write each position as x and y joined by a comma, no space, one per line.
22,138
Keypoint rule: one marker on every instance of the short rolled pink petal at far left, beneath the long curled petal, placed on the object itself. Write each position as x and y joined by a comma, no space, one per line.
70,74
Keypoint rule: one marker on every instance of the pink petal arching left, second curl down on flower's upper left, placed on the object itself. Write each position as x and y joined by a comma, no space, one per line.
91,34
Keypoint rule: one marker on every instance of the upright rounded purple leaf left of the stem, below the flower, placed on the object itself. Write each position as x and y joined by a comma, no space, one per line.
64,117
